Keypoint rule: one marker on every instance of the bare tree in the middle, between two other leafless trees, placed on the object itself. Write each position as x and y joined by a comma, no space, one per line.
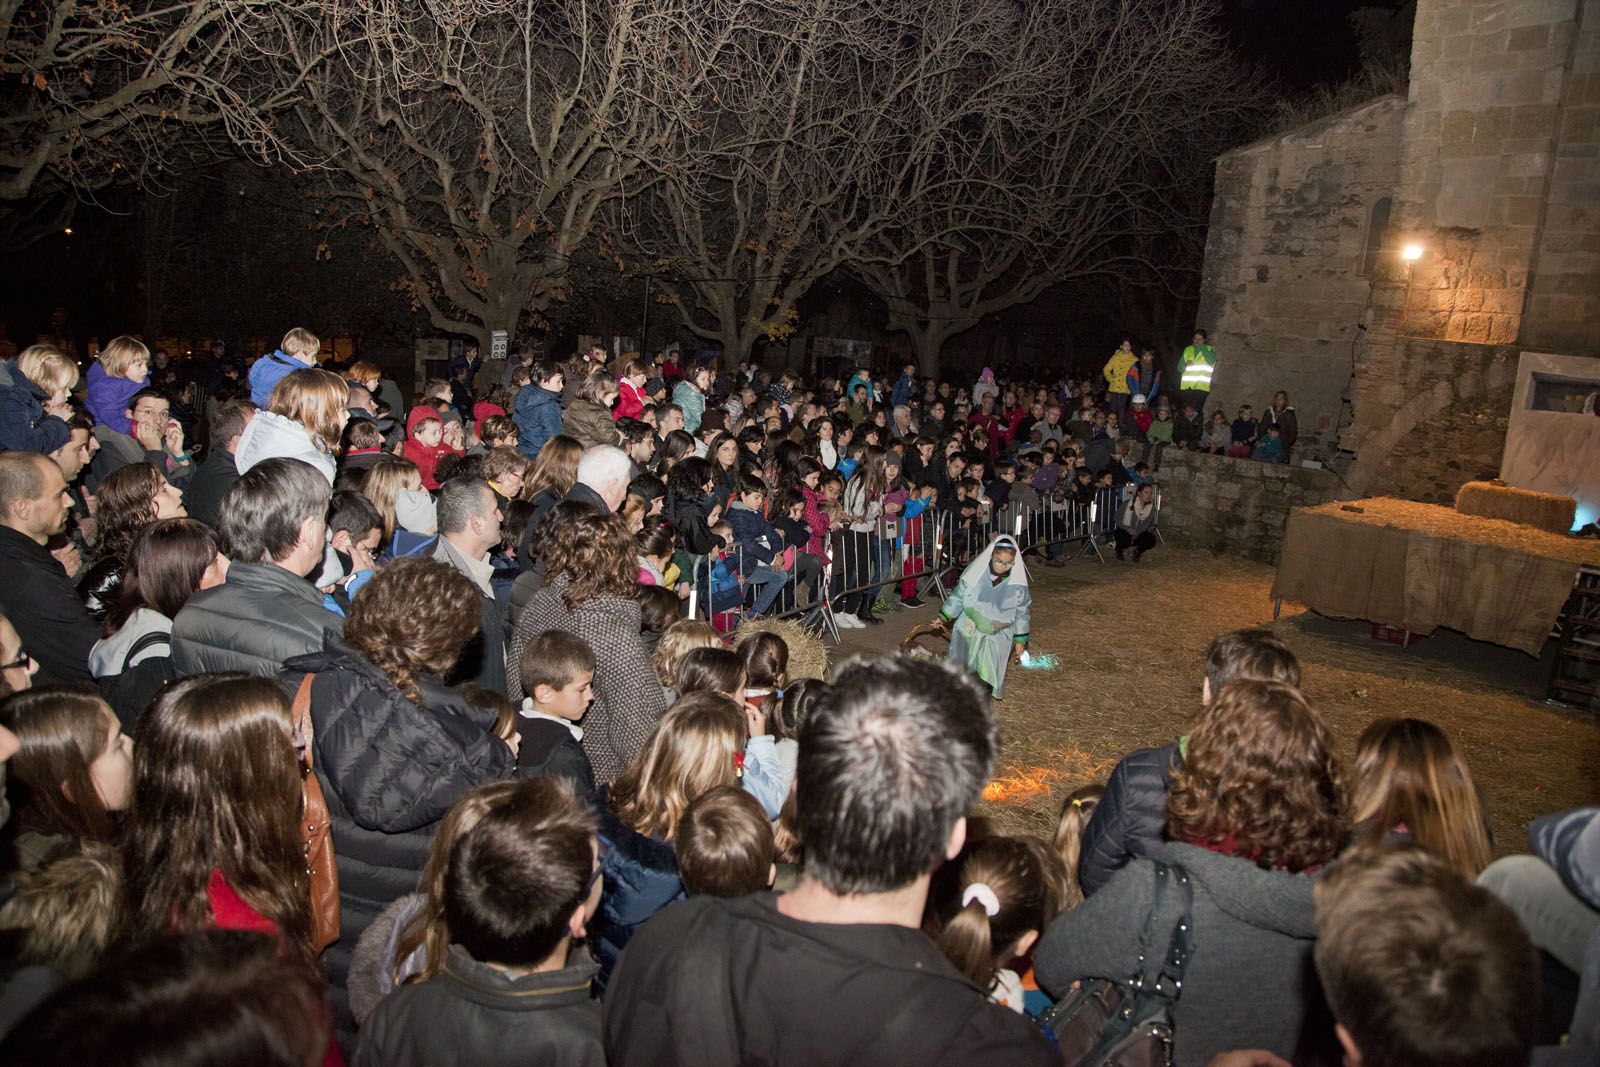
774,180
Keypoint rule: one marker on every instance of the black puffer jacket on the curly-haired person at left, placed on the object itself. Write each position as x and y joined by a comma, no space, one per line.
390,770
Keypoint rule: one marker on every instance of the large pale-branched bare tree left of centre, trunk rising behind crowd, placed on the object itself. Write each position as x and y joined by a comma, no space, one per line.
482,138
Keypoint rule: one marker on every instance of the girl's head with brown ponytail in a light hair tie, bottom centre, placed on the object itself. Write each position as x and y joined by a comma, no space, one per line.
990,908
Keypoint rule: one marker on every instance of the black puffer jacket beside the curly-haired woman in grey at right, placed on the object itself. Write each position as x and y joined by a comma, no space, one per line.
1132,817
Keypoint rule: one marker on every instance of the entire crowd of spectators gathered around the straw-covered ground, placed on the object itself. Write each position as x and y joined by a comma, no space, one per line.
390,733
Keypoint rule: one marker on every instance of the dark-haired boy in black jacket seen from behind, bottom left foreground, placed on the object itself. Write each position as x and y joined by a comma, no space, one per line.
519,893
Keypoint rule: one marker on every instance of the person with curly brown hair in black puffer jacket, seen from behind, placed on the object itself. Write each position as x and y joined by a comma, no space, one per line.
394,748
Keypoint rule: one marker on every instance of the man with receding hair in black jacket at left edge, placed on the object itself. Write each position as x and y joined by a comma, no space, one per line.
34,589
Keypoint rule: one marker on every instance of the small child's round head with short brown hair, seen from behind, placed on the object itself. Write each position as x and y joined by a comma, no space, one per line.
726,845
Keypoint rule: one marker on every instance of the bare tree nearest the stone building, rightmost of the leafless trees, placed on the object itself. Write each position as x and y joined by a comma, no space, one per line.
1055,174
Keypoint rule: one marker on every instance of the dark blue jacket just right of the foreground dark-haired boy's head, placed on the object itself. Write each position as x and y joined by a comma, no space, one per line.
641,879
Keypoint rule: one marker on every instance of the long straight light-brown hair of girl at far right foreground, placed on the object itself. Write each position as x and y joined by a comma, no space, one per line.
1412,781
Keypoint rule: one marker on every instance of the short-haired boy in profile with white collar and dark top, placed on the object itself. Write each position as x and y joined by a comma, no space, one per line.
558,674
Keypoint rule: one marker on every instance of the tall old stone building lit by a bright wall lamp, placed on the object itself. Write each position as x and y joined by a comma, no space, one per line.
1402,370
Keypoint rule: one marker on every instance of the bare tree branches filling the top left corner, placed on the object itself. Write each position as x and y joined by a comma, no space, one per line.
102,92
